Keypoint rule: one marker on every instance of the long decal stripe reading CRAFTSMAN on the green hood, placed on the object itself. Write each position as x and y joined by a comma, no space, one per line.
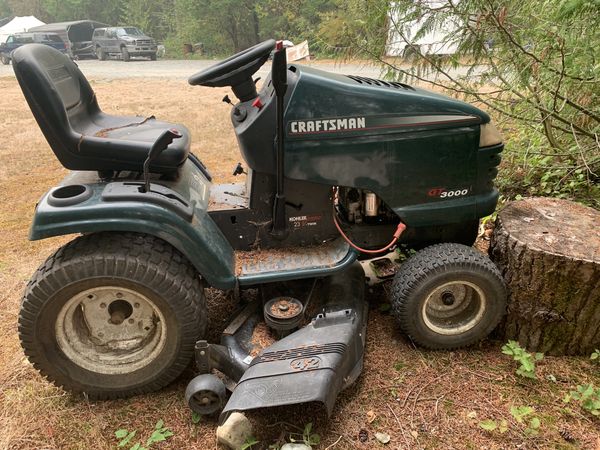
362,123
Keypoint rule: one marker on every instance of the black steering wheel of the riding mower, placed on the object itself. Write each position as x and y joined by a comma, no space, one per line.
236,71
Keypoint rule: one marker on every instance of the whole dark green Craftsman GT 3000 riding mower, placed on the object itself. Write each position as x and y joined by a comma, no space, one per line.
338,169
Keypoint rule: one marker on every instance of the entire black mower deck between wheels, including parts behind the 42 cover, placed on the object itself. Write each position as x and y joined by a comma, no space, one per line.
312,364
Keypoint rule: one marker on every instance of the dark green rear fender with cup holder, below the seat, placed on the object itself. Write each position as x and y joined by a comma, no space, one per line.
197,237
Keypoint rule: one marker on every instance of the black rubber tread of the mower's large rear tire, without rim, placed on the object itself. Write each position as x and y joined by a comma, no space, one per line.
105,254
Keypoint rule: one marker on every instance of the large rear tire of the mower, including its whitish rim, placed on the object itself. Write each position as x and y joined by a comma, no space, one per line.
113,315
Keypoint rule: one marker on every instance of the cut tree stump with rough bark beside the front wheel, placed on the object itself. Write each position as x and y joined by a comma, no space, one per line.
549,253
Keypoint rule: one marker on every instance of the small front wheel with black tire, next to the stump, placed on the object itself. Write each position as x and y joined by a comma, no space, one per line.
448,296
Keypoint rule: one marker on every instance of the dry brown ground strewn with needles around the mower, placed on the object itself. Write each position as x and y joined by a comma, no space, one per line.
421,399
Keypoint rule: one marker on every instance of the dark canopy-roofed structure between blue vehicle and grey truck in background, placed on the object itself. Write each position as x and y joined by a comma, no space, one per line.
77,35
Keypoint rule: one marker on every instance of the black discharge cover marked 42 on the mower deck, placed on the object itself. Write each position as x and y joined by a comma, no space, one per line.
316,362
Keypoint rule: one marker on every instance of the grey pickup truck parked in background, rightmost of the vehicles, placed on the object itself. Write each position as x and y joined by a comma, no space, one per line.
124,42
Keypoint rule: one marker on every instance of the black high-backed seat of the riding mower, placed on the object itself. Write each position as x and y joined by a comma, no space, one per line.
80,134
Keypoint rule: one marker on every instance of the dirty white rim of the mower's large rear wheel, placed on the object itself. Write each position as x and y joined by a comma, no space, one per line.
110,330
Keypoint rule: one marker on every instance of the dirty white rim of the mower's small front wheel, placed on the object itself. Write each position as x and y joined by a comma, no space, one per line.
467,307
